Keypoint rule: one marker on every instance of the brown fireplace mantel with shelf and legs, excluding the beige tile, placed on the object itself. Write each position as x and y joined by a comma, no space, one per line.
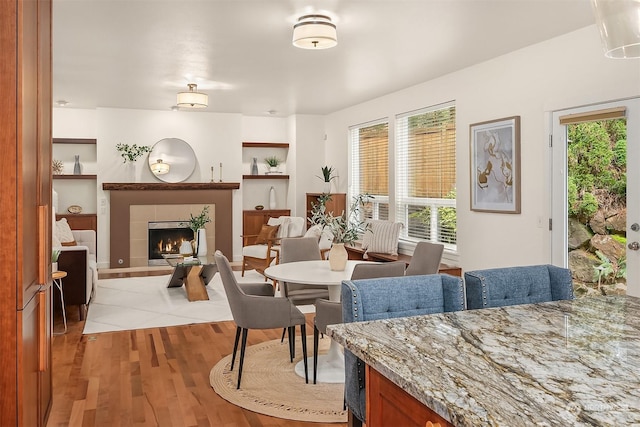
125,195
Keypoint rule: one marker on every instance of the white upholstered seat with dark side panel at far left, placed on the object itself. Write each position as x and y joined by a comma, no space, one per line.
79,261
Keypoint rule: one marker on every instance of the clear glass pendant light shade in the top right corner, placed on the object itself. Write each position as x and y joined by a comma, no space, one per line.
619,25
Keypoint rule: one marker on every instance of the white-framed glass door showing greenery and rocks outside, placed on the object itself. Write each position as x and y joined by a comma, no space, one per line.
596,196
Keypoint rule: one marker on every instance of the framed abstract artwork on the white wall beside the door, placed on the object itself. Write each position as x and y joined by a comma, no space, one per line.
495,165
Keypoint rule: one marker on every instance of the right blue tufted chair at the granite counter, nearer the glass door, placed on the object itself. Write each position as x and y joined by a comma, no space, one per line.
498,287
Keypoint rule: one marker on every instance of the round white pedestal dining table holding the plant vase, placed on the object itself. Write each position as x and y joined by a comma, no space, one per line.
318,273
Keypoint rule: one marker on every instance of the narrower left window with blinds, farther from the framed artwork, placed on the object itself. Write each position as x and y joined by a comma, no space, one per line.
370,166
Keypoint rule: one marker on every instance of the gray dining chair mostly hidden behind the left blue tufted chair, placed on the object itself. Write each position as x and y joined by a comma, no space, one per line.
330,313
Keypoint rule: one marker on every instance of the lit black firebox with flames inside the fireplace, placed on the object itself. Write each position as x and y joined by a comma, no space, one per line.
165,238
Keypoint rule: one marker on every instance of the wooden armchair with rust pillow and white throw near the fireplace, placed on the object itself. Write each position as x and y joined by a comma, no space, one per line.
261,250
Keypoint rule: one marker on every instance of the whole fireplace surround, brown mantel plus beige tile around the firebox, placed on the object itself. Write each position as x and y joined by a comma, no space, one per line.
143,202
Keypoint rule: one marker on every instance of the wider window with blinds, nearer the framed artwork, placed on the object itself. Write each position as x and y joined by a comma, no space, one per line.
426,174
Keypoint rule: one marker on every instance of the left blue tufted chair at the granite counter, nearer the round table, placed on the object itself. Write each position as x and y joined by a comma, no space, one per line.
386,298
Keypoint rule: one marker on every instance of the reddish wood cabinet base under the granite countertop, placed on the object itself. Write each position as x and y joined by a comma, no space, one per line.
389,405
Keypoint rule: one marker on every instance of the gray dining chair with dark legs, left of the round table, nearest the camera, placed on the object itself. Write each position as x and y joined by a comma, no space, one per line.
259,311
